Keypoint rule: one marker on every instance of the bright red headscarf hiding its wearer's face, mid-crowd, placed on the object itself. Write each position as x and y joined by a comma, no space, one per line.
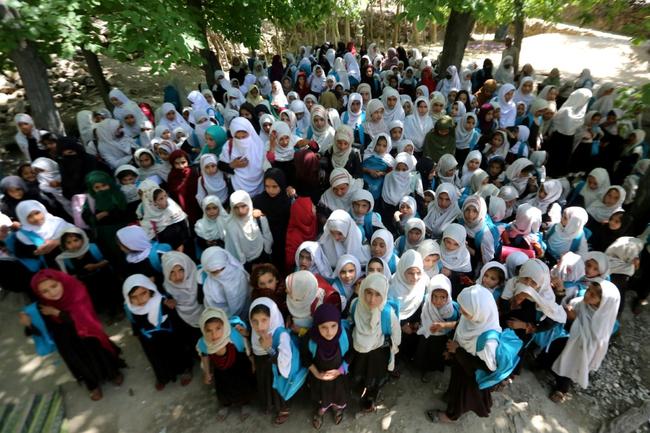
302,227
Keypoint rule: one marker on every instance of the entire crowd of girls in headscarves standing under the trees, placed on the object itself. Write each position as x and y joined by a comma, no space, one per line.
331,221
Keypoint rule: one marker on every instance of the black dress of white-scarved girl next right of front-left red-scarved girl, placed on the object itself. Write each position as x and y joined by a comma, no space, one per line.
164,348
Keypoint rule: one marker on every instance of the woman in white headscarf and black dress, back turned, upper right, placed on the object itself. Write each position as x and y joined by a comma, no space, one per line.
565,124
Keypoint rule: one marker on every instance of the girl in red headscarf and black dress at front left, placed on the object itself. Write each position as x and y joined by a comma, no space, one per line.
73,325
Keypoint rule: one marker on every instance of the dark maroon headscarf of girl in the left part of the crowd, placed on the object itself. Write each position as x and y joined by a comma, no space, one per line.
182,185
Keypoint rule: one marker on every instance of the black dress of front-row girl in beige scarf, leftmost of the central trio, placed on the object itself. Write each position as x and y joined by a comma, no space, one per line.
233,377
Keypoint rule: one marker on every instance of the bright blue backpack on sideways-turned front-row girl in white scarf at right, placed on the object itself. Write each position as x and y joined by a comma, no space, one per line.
507,357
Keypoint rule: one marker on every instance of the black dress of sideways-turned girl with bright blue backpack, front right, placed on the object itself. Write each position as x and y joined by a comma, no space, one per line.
463,392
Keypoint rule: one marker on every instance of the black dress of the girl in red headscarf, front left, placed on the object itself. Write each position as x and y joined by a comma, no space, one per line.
88,361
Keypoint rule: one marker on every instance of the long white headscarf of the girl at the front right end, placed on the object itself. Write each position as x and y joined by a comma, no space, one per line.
589,336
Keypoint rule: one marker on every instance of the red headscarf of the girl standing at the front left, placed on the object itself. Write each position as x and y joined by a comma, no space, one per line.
76,302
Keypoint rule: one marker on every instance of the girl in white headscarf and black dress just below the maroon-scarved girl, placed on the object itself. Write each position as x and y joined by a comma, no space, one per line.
161,217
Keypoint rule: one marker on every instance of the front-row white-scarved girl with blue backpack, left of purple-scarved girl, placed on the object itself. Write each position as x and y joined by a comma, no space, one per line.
276,359
